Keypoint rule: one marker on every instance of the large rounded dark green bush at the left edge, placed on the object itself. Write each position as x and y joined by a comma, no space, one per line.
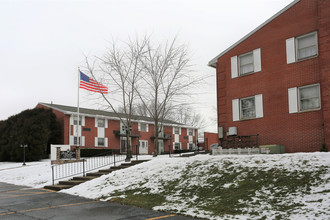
38,128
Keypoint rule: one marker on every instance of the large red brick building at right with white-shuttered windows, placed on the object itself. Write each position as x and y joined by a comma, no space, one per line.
275,81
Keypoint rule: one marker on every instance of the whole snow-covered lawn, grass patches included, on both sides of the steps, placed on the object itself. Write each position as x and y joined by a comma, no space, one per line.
293,186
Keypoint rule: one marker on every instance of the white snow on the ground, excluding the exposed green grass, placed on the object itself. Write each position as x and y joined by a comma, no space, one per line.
160,169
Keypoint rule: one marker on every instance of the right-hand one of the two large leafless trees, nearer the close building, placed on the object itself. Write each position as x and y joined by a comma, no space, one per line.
167,80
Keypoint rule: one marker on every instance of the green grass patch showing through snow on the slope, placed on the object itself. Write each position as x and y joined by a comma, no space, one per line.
245,187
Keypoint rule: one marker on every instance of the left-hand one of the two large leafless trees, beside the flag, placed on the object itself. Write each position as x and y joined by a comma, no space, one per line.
120,69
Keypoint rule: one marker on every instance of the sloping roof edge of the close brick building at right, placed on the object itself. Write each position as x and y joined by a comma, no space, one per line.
213,62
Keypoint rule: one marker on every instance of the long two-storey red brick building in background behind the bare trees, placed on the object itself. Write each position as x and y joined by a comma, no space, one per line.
102,129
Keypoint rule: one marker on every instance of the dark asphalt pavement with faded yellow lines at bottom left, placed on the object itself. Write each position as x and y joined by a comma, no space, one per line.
21,202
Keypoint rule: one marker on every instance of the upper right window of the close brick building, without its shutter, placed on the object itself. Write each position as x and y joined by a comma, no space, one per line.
306,46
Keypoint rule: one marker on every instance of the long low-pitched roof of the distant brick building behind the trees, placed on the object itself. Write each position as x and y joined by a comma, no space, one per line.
69,110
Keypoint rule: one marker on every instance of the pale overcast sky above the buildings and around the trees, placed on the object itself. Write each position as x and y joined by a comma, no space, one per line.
43,42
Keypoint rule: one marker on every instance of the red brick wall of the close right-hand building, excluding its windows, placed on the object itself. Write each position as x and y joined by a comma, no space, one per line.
299,132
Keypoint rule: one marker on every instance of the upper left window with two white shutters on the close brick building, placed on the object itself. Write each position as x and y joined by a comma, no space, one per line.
246,63
